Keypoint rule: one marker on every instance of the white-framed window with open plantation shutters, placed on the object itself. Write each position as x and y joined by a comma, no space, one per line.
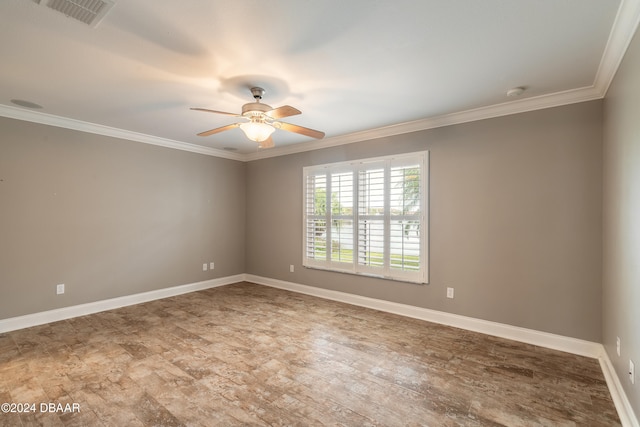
368,217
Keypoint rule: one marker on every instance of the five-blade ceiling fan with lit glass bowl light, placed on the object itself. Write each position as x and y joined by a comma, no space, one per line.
262,121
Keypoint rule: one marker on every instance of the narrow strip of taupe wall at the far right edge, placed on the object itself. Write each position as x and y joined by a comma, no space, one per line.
621,267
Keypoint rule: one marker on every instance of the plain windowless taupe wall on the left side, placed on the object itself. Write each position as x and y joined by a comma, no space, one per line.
109,217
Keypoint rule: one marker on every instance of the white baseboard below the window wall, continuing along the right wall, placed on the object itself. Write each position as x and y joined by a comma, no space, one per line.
529,336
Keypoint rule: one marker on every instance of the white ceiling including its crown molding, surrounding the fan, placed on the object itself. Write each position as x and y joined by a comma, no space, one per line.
356,69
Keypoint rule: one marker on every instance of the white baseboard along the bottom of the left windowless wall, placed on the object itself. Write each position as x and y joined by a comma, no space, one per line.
29,320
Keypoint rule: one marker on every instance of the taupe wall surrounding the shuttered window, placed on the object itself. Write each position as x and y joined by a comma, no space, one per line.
515,220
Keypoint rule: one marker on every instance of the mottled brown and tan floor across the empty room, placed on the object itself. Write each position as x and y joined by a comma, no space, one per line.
246,354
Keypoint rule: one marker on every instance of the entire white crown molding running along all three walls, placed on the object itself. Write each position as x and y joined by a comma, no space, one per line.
622,32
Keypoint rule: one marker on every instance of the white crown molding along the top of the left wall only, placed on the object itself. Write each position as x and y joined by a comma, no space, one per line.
63,122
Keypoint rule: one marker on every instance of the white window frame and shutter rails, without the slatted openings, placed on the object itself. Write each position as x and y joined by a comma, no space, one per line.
355,168
